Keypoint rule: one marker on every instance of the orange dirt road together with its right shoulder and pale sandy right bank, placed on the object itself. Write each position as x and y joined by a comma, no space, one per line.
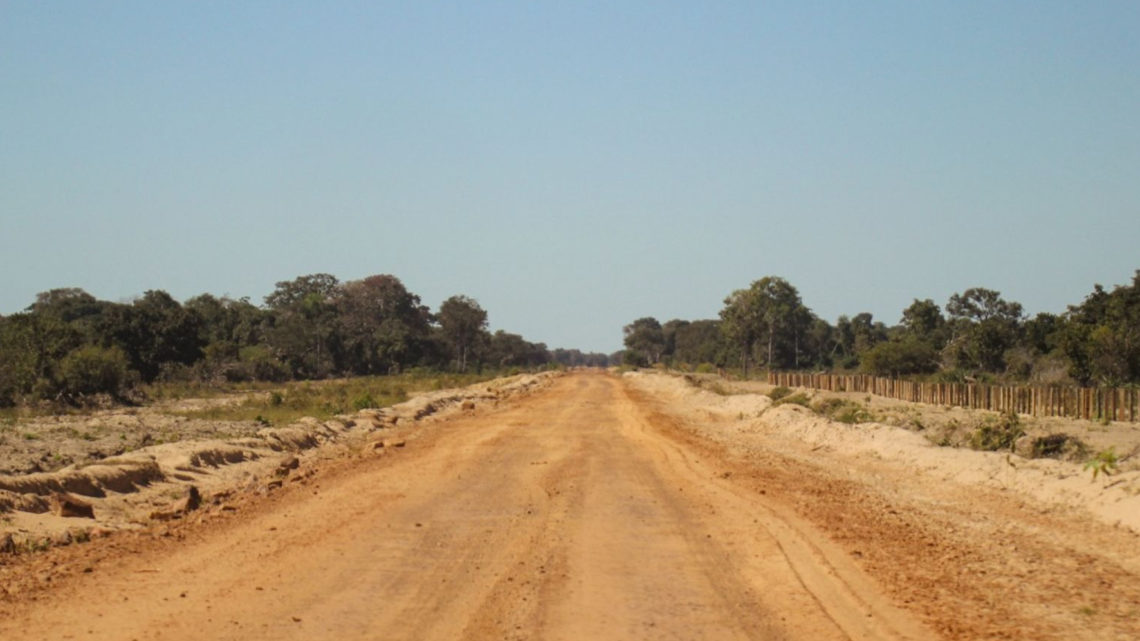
597,507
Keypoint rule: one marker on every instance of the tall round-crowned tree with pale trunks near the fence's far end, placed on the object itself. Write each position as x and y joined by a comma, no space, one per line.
769,312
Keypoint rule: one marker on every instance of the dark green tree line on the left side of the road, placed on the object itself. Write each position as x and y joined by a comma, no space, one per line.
69,345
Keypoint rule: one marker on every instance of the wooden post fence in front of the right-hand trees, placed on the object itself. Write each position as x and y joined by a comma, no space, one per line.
1115,404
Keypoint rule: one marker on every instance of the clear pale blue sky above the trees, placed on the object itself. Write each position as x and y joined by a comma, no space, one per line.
573,166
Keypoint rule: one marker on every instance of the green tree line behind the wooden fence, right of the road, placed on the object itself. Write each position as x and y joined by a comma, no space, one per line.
979,336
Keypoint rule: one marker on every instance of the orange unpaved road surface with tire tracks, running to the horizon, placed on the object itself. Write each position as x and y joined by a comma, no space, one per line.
582,512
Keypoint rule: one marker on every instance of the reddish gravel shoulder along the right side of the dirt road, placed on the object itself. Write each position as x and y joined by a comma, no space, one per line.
972,563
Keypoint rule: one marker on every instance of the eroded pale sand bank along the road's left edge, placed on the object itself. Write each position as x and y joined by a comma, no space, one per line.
132,489
